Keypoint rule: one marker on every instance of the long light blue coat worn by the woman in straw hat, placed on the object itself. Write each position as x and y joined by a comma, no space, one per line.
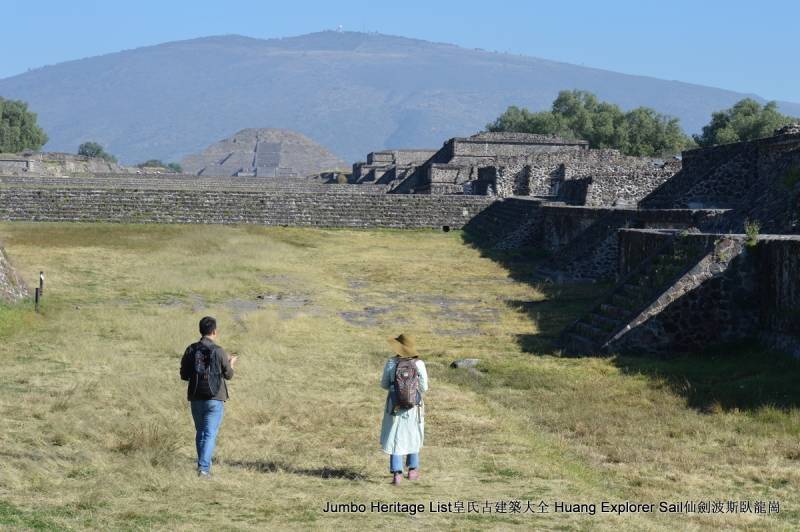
404,432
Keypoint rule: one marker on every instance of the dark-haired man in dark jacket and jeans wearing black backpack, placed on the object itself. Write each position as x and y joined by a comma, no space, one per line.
206,366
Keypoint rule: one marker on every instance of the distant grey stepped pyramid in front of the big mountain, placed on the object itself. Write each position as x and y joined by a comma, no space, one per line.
263,153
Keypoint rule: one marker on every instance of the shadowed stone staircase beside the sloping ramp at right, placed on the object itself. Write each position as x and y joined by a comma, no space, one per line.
633,294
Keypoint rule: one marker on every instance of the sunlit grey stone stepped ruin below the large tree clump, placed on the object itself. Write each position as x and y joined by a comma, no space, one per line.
518,164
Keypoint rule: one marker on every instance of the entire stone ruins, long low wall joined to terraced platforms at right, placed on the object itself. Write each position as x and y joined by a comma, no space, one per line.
700,250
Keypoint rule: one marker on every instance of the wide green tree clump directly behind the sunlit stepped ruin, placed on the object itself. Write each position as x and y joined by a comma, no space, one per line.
580,115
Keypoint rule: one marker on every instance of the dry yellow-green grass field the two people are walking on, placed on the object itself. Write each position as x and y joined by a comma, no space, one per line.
97,432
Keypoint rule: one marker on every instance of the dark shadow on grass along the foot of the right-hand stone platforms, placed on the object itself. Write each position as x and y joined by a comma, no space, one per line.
725,378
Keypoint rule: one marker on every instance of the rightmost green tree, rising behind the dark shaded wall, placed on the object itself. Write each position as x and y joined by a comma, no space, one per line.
746,120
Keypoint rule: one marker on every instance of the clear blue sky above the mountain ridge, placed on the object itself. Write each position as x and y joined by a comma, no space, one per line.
745,46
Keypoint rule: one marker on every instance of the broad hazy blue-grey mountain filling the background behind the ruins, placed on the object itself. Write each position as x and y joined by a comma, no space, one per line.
352,92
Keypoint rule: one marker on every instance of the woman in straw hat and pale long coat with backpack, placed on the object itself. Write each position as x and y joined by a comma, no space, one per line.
403,427
